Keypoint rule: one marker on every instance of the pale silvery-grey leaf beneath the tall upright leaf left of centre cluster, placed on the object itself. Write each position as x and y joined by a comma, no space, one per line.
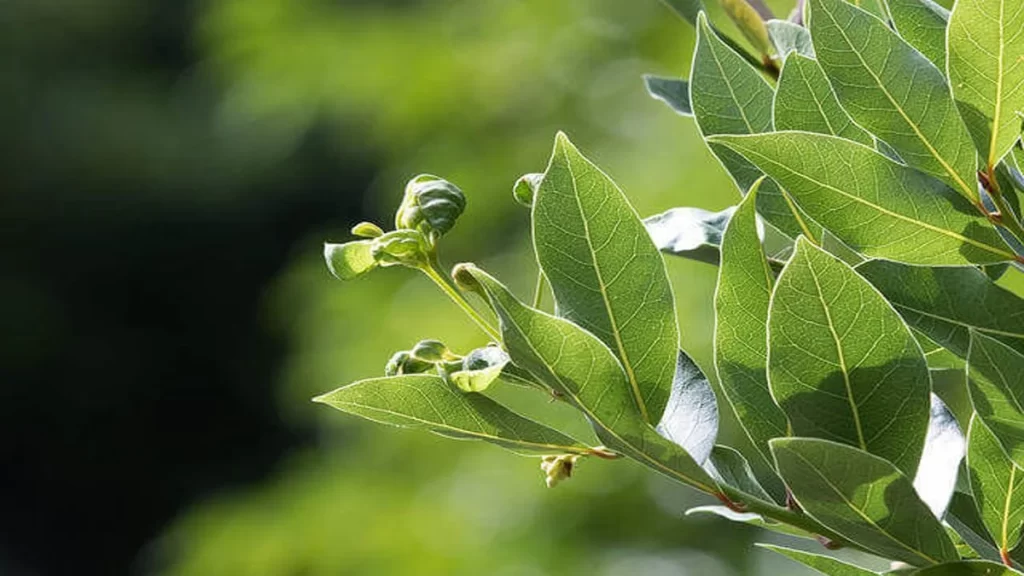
691,419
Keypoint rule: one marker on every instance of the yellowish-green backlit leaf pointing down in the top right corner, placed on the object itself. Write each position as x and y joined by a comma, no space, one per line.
987,72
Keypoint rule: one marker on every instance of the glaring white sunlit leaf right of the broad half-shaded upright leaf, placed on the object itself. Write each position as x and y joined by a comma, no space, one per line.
945,448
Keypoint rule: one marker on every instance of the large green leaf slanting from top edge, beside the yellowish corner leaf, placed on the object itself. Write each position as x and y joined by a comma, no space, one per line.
894,93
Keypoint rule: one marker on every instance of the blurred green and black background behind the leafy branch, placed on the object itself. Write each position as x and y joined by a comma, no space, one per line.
169,171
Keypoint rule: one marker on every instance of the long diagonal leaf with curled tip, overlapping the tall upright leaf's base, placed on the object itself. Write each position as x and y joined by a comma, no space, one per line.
578,366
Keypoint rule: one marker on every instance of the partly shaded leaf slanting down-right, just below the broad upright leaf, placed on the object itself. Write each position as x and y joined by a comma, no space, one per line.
864,499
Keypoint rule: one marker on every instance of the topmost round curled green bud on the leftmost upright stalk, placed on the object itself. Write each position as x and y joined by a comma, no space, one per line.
432,205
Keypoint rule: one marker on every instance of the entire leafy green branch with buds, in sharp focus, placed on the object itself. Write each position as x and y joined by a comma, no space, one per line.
862,340
